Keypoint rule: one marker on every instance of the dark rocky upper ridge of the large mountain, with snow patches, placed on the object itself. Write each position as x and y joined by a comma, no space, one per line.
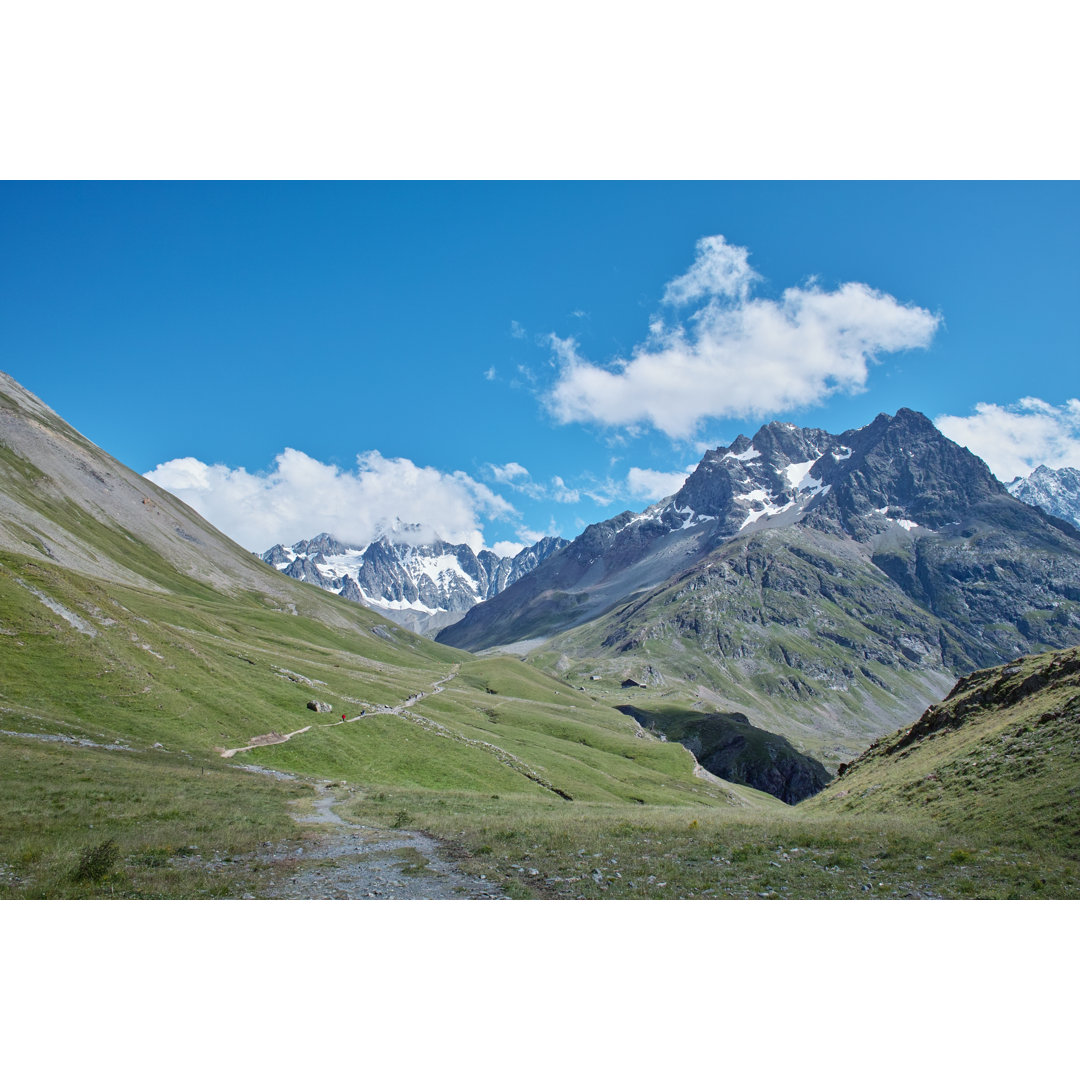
889,482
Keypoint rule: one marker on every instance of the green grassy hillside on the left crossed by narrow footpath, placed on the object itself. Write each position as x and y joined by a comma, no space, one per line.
117,703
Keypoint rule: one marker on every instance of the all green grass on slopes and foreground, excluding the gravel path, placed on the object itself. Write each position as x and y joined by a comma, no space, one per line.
476,764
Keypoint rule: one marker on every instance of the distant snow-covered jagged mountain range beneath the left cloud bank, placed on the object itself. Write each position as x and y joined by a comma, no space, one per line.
423,587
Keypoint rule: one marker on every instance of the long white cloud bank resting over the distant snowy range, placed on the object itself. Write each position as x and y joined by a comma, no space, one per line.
301,497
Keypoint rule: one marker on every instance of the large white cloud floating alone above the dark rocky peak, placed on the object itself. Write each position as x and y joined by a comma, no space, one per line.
730,354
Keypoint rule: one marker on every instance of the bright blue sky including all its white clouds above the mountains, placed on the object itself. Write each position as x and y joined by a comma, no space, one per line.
479,357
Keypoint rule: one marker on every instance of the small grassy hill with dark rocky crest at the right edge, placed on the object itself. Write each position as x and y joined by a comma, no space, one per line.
998,755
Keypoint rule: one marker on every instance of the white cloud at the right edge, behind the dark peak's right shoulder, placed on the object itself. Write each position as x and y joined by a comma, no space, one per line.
1016,439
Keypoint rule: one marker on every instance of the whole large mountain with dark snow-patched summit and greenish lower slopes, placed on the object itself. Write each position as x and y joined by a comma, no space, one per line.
828,587
